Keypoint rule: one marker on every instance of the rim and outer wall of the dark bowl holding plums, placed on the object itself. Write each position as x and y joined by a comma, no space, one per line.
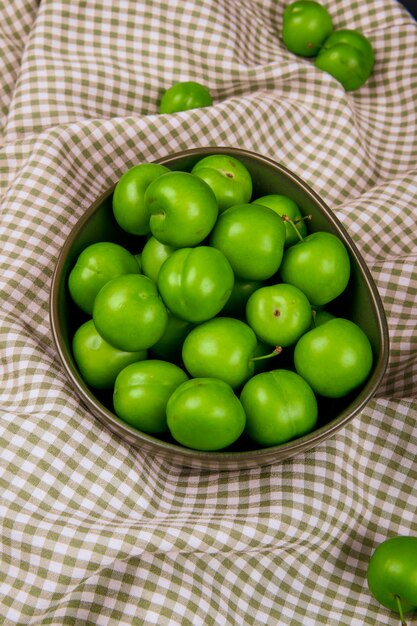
228,459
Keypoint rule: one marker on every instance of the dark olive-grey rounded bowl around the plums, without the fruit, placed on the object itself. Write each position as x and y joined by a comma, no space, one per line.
360,302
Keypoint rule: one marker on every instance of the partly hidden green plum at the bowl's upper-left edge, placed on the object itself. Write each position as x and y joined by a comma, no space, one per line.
129,207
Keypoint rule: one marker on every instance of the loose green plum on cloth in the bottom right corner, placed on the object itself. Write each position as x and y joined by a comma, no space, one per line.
392,574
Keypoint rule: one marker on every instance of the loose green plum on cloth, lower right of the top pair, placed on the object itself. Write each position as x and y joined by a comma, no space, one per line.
348,56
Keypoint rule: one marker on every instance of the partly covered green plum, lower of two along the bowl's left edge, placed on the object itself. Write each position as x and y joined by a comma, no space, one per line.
99,363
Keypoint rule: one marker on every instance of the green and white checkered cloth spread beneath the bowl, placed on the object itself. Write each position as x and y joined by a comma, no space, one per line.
92,531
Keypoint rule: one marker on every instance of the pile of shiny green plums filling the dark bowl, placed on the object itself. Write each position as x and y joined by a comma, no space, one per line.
187,330
